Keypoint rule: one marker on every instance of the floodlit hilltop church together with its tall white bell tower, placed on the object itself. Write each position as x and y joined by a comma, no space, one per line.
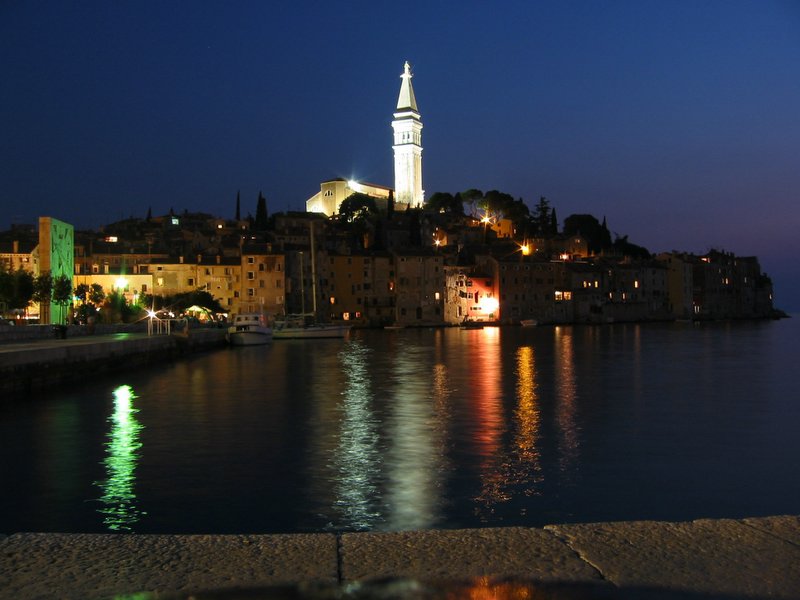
408,192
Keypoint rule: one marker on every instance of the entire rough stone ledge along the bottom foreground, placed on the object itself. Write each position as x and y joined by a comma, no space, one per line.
718,559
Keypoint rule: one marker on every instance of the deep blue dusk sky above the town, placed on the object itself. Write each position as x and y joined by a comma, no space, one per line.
678,121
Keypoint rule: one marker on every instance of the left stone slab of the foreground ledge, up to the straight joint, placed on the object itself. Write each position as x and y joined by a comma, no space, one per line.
36,565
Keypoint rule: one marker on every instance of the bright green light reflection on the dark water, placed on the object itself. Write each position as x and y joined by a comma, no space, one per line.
119,498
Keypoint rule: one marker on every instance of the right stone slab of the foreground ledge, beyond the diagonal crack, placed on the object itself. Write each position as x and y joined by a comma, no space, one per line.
753,557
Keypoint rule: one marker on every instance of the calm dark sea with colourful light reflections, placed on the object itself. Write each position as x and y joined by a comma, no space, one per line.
420,428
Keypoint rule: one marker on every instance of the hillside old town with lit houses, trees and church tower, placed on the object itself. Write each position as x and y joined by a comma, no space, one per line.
372,256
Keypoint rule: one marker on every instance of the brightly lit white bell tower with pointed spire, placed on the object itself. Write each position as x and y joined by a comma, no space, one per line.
407,146
